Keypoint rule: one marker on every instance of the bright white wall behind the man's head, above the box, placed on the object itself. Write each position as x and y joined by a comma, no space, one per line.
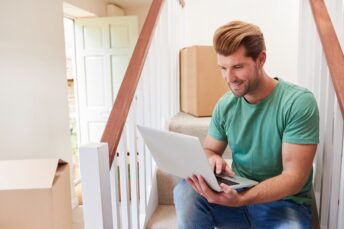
278,19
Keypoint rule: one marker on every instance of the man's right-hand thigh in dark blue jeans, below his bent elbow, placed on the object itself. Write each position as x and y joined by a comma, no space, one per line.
280,214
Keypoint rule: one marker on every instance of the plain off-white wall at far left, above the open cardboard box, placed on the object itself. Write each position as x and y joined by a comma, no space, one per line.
33,91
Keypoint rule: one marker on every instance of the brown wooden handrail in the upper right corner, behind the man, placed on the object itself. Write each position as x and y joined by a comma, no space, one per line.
331,46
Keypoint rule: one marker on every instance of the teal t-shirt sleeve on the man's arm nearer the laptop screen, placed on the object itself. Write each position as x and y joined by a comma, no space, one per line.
216,126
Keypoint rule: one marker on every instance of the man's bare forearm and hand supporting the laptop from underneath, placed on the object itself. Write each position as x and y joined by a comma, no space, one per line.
297,162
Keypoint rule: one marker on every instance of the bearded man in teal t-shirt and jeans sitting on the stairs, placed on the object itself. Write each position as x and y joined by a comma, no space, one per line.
272,128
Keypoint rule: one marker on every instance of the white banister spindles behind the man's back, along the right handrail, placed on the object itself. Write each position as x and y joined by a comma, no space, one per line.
314,74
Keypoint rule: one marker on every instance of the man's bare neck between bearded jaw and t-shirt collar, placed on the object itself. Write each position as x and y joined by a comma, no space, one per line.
265,87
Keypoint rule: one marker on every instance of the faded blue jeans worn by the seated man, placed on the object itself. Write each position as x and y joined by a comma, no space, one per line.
194,212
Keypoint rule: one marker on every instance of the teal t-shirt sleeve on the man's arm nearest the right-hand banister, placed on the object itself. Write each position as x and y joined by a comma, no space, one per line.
302,125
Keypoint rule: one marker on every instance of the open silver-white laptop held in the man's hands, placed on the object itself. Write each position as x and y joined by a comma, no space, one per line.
183,156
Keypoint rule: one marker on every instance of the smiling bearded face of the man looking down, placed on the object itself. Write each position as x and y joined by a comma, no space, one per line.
240,72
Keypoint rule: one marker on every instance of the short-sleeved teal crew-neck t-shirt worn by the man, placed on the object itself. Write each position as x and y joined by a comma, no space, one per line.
255,132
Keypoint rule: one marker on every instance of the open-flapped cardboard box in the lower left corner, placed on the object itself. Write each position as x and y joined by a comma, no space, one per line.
35,194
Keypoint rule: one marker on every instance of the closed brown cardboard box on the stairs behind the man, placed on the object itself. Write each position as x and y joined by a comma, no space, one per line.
201,82
